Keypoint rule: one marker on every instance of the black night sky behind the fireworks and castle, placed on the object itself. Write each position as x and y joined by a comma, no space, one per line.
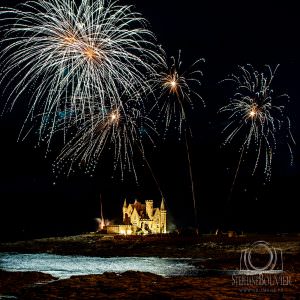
226,34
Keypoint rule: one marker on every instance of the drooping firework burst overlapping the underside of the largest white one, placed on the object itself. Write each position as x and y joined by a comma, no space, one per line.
121,131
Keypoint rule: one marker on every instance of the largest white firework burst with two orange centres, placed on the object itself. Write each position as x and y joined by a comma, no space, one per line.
64,54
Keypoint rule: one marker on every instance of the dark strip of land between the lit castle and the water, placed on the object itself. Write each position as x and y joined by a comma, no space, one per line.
223,252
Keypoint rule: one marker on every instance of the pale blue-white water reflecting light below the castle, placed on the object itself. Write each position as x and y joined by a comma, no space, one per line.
66,266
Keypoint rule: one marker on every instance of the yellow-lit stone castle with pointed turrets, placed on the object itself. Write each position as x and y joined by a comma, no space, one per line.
141,218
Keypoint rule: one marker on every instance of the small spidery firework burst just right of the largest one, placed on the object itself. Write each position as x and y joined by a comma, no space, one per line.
177,90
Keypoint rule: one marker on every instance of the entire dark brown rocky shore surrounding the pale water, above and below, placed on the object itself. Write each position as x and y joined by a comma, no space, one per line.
224,254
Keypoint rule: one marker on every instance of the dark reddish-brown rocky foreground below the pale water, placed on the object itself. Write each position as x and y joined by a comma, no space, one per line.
137,285
